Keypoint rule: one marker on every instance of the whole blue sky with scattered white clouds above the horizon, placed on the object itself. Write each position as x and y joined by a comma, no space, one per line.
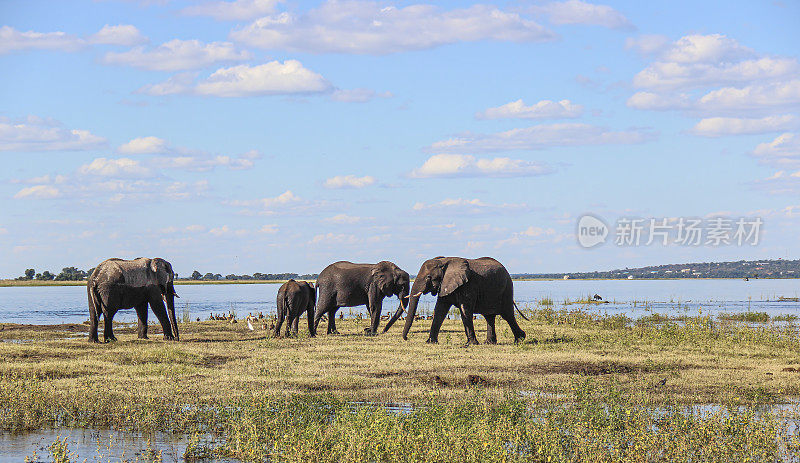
265,136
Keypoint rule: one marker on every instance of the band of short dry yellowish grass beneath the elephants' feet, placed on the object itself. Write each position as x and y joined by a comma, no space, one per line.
215,360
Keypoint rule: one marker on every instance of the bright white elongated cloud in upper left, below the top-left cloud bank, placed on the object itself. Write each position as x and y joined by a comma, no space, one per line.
273,78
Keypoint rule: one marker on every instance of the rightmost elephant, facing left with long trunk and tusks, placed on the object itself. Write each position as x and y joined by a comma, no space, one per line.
476,286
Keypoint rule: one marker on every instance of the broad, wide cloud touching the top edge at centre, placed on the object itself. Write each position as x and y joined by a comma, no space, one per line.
364,27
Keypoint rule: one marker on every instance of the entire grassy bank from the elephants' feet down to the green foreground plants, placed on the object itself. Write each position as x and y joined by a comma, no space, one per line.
581,387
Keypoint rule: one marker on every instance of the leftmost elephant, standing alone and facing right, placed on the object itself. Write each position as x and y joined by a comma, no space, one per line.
118,284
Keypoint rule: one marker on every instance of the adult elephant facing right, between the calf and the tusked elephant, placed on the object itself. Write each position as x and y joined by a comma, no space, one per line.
345,284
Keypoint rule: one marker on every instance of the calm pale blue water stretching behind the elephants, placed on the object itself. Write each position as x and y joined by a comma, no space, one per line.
68,304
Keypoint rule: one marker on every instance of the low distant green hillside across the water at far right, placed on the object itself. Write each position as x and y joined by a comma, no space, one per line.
741,269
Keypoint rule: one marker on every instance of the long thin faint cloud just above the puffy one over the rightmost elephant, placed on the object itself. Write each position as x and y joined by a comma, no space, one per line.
539,137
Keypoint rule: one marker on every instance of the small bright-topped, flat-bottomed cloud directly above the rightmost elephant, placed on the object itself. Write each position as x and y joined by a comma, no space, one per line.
463,165
